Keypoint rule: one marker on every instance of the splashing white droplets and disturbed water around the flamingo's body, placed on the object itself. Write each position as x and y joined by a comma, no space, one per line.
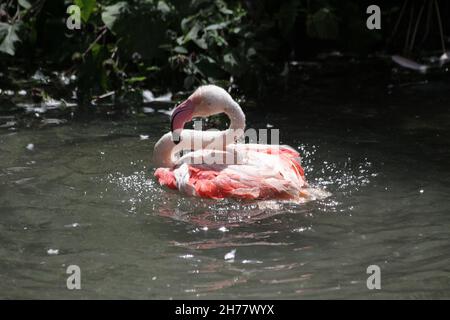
144,195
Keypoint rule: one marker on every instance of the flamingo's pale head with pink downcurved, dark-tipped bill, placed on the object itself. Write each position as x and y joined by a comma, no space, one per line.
205,101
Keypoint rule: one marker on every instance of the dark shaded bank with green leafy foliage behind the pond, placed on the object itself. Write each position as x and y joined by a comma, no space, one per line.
253,48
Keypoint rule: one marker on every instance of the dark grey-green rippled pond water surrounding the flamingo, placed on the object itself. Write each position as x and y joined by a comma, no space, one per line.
83,194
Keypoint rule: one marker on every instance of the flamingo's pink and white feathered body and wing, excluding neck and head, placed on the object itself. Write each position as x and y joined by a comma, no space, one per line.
264,172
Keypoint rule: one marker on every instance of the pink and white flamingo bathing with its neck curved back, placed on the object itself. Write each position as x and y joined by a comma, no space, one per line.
266,172
